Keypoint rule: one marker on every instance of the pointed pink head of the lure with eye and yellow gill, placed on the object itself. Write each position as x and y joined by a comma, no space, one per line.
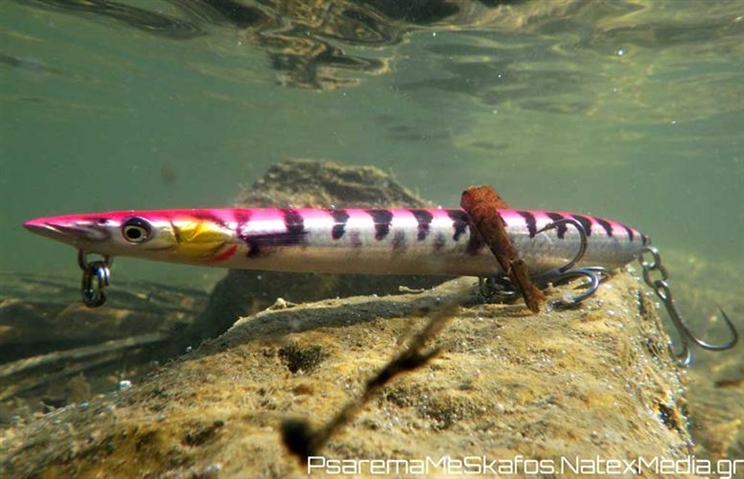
171,235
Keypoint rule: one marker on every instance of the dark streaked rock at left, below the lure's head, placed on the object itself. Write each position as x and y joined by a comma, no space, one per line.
48,340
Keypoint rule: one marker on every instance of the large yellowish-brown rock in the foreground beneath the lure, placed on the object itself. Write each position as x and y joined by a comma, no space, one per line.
593,382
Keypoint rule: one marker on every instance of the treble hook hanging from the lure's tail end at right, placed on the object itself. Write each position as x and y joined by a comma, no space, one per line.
664,293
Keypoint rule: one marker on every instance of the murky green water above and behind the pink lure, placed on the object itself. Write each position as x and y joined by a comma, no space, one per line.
631,110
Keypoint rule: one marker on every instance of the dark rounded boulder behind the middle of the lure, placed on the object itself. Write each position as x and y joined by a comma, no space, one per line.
308,184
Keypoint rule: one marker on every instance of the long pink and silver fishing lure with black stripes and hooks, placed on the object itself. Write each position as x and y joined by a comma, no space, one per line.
554,246
